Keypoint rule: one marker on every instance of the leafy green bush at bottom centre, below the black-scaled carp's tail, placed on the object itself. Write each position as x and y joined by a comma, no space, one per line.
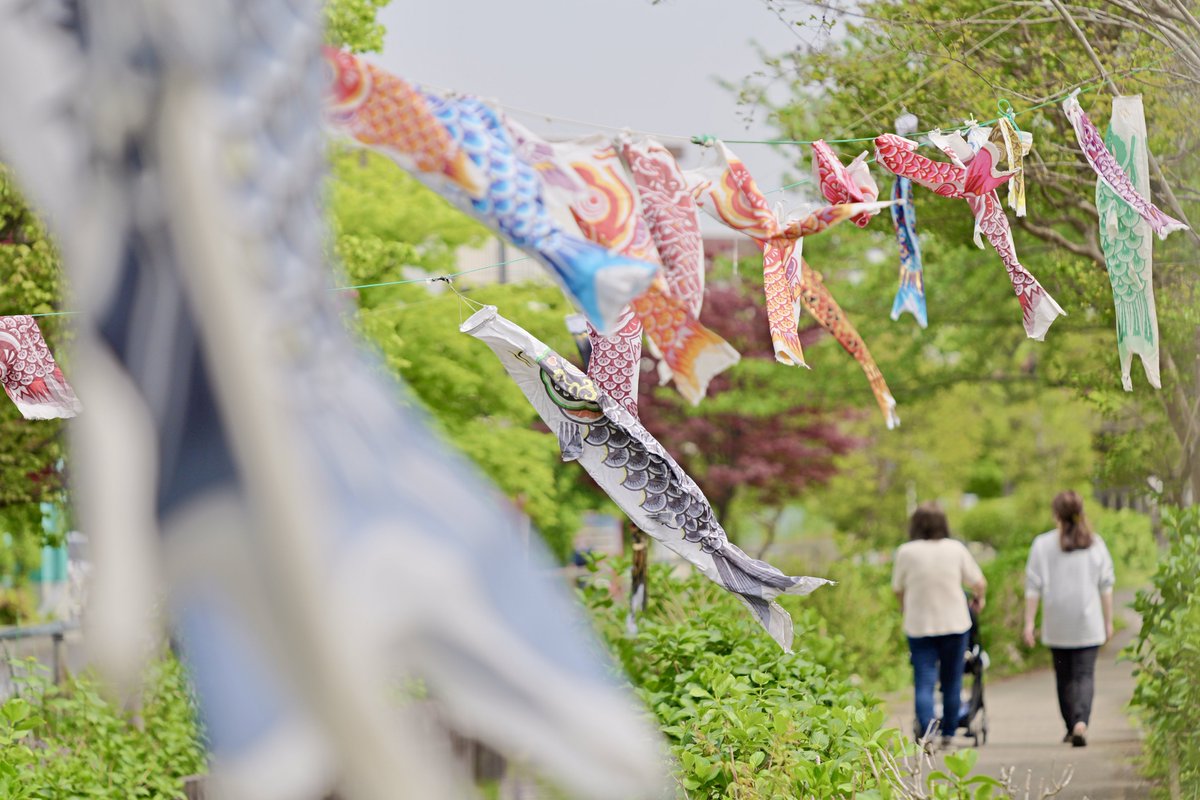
743,718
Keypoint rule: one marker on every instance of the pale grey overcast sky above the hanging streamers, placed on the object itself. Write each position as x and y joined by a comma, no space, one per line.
620,63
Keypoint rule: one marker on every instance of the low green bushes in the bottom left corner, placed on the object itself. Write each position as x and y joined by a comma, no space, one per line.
70,742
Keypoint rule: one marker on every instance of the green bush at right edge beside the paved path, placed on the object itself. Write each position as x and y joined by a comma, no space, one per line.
1167,653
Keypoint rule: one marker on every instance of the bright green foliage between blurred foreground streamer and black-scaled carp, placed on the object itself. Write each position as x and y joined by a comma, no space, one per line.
391,228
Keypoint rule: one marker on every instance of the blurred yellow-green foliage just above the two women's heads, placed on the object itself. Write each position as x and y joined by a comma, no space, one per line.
1034,443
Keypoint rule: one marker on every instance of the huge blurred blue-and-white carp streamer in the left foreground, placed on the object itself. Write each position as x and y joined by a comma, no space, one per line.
319,544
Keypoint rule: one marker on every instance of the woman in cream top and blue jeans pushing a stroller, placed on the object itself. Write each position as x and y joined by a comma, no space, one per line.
928,576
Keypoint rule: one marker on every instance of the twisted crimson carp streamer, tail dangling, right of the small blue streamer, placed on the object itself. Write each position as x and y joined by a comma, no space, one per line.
974,178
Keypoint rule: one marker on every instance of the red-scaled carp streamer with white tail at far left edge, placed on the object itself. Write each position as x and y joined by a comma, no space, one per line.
31,376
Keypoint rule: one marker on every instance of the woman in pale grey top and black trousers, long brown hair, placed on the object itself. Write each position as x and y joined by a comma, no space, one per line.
1071,572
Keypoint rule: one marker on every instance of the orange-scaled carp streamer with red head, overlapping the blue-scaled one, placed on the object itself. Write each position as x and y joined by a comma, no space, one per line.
389,115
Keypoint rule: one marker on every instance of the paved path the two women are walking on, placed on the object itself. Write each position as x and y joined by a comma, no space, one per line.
1027,730
